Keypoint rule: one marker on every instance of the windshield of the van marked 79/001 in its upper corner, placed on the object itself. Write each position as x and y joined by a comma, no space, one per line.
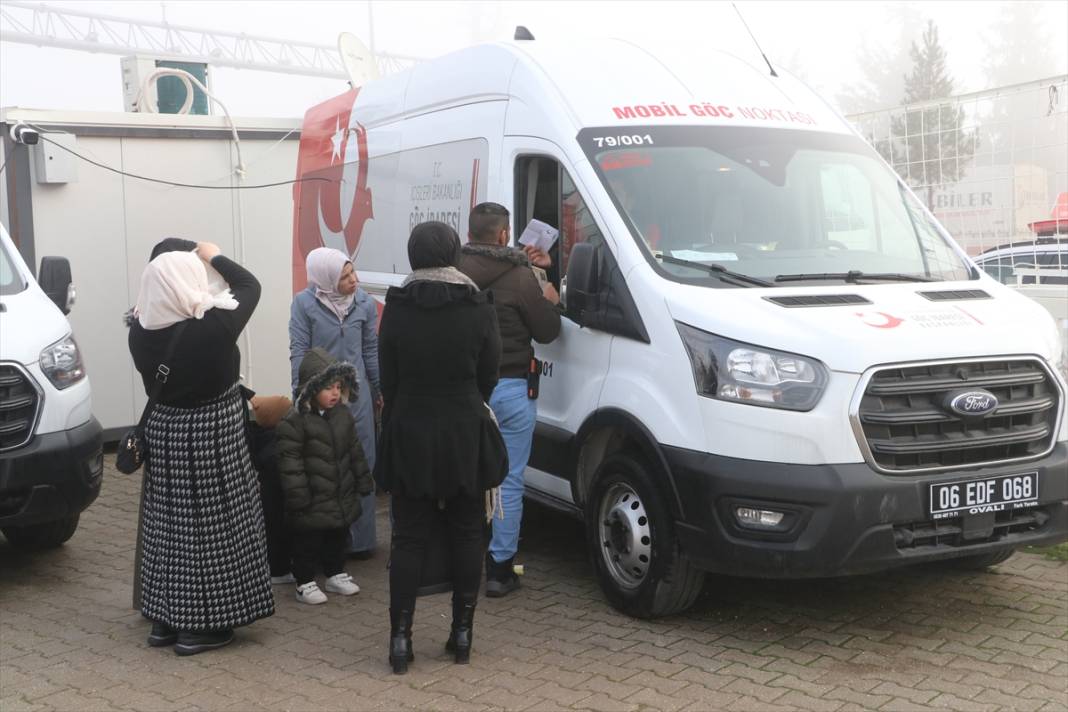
782,207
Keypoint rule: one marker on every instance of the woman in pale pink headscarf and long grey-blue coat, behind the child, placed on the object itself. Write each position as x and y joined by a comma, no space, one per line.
335,314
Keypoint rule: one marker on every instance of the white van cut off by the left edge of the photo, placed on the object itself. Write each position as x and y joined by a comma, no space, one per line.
52,462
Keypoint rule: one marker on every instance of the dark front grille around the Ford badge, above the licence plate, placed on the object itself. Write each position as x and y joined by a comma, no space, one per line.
908,426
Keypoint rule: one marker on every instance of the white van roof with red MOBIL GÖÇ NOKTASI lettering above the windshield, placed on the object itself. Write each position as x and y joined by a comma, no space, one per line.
606,83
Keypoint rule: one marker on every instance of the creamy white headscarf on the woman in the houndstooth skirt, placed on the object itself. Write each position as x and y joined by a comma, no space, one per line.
175,288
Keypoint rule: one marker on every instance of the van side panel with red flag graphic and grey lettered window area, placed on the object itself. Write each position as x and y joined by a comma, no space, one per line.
378,182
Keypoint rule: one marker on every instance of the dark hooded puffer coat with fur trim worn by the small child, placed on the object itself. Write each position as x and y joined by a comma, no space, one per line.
322,466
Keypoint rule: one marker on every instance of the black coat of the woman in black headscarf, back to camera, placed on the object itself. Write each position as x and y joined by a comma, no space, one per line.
439,350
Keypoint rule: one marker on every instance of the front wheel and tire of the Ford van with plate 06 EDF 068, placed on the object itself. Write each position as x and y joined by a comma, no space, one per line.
631,534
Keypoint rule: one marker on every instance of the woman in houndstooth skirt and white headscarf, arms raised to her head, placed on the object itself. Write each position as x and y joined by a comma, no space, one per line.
205,557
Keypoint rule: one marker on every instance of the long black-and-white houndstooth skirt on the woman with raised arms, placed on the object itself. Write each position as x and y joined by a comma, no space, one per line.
205,562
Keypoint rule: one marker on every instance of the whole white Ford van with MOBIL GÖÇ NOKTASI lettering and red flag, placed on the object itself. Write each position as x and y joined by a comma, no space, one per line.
775,362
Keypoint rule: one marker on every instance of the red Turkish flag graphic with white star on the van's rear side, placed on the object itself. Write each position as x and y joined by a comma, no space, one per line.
333,201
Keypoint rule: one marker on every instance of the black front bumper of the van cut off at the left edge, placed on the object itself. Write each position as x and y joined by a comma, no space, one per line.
56,476
